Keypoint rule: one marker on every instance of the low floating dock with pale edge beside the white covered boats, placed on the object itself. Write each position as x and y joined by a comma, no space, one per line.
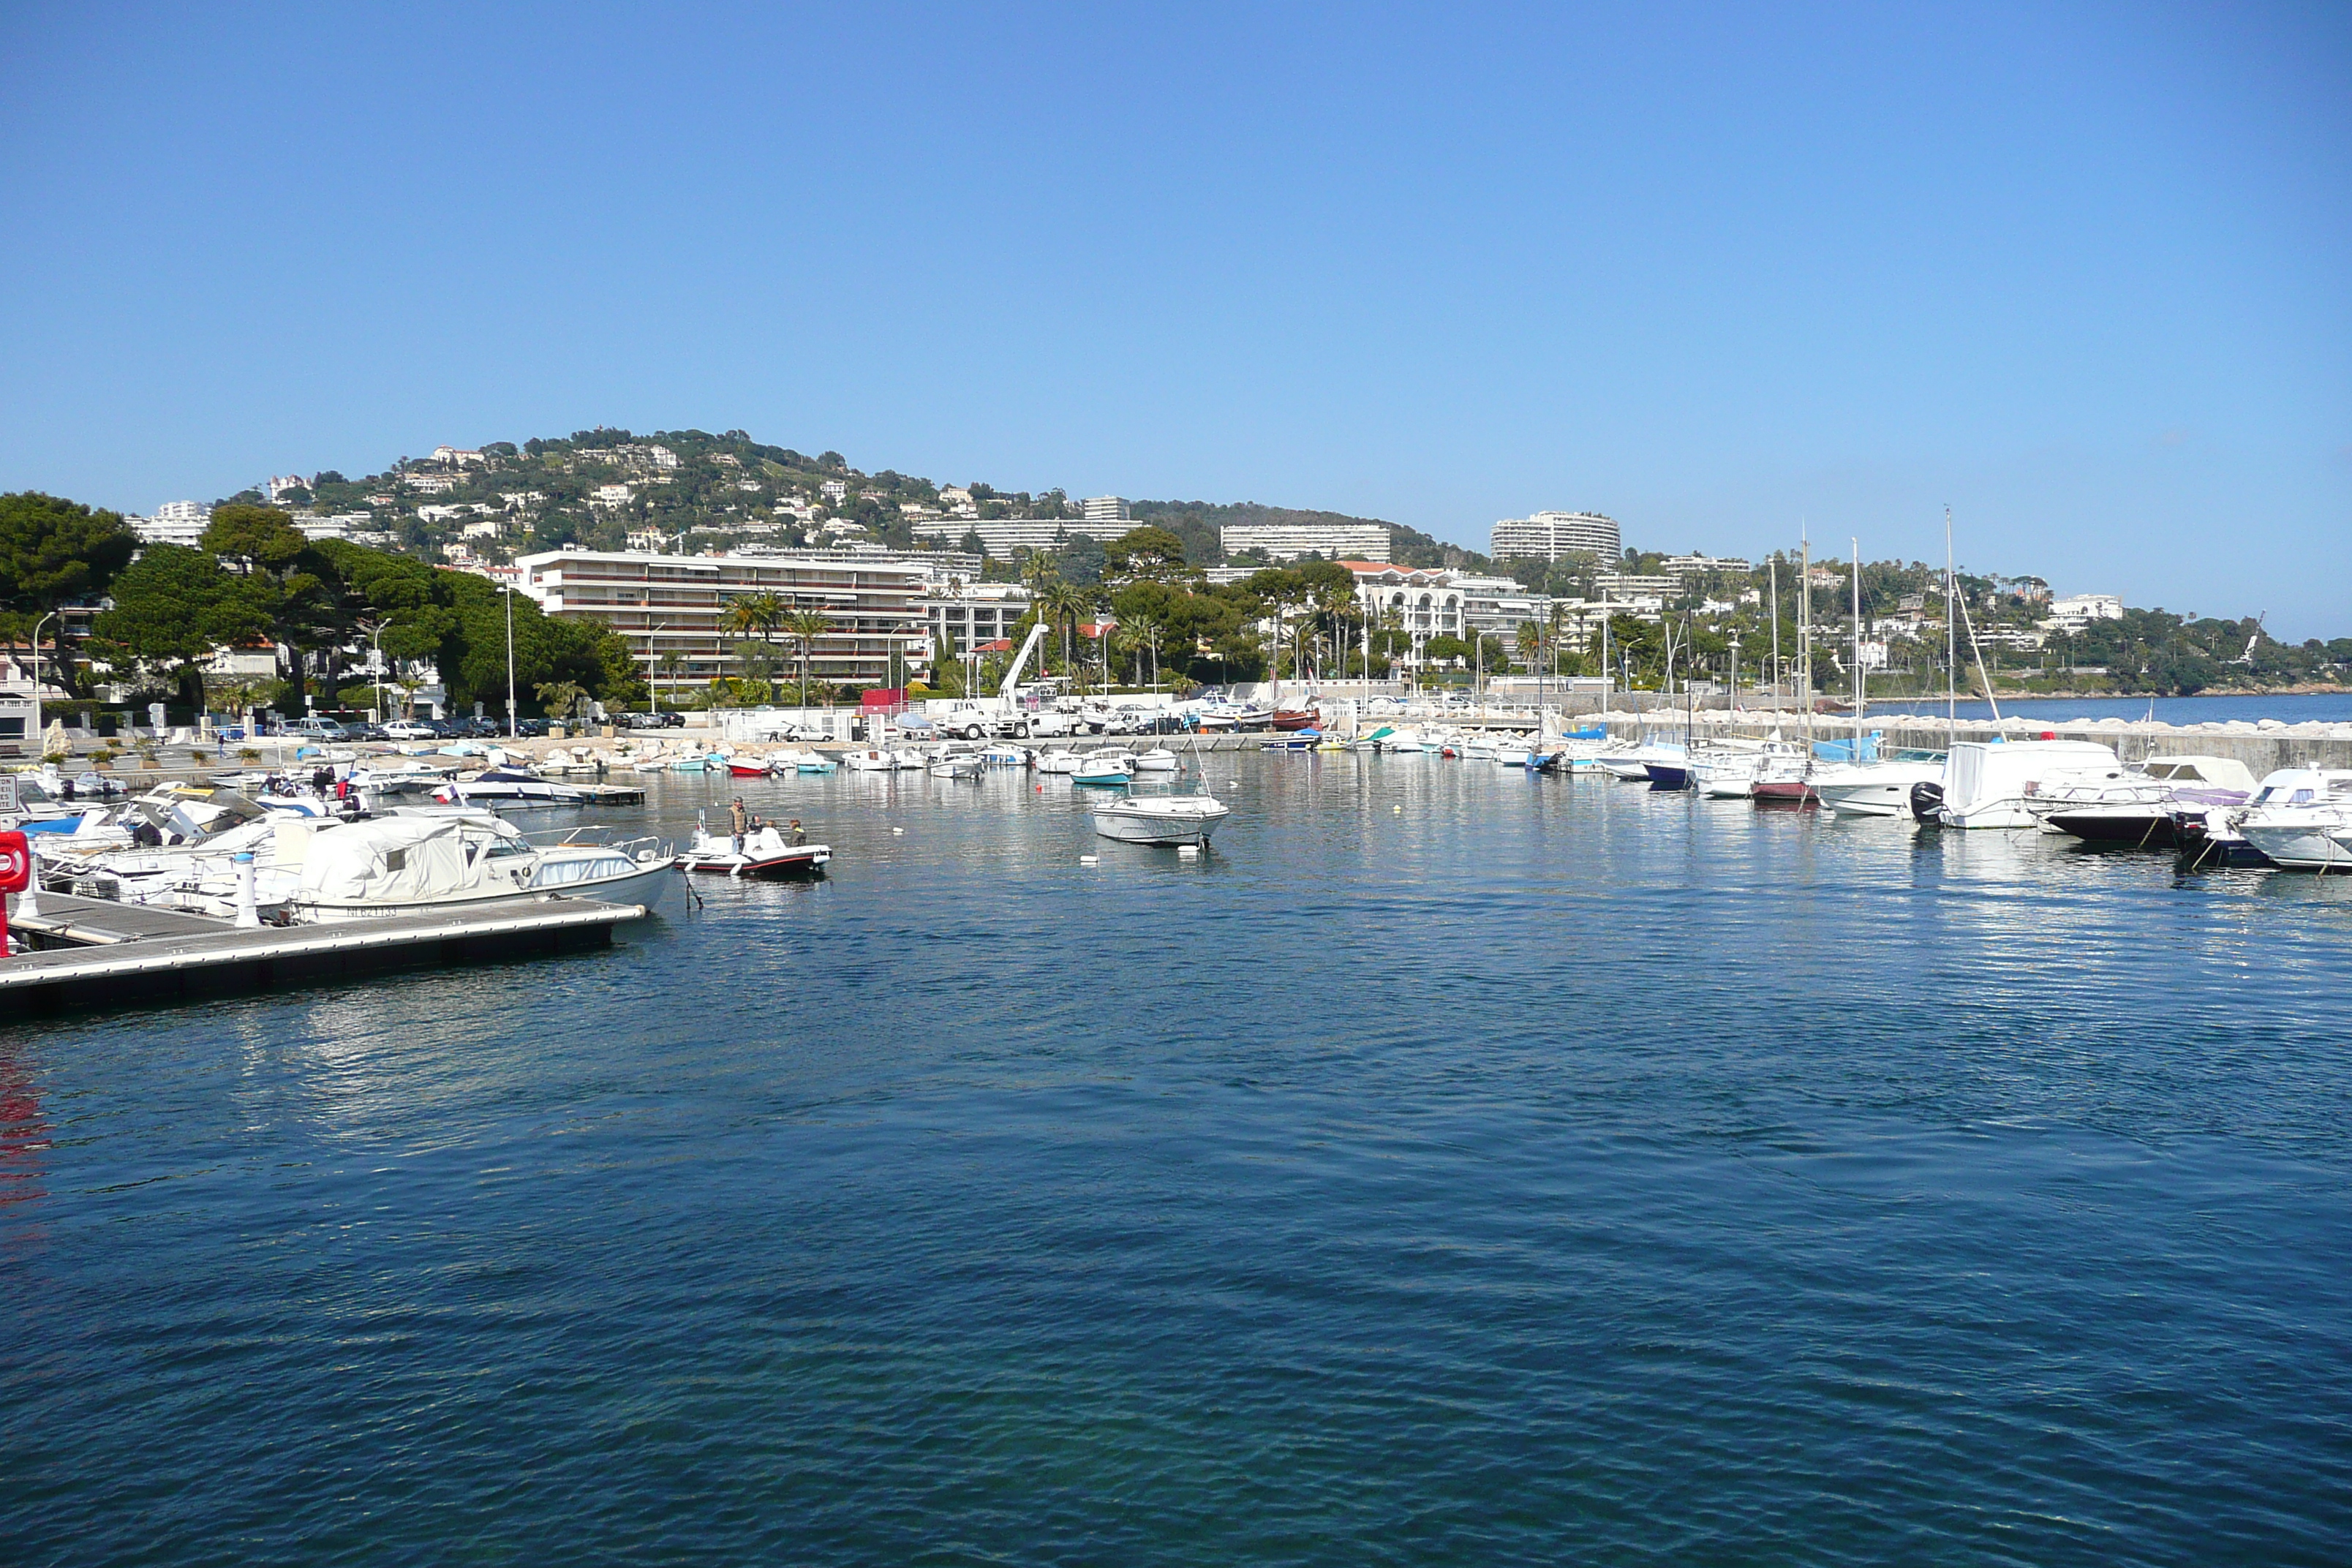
93,953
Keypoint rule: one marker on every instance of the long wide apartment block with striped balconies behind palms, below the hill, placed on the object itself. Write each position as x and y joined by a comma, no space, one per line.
679,605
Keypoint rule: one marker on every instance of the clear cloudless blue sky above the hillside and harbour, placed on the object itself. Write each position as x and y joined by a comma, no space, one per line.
2085,274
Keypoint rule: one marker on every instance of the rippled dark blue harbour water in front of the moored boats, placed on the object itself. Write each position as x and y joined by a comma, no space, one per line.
1448,1170
